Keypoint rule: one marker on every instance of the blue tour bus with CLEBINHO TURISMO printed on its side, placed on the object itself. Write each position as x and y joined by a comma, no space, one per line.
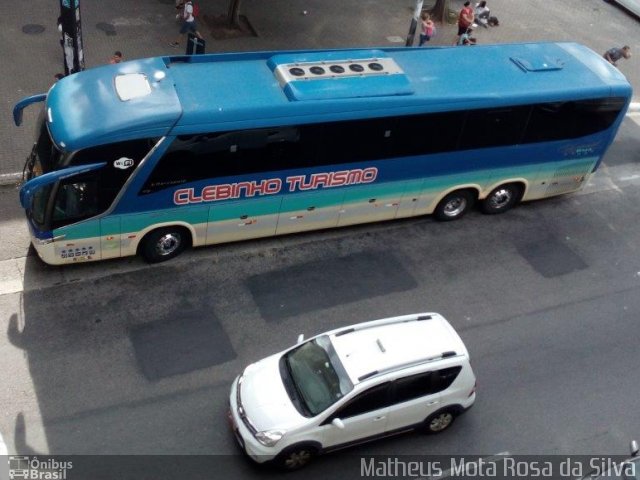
151,156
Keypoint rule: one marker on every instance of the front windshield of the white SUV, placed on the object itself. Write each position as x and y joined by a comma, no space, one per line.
317,374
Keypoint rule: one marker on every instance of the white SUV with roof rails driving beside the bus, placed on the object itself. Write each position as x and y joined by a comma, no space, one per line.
352,385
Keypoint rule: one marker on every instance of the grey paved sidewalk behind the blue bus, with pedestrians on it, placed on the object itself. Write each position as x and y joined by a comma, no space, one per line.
144,28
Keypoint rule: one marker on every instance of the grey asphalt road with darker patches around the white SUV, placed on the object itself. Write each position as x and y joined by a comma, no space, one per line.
124,358
